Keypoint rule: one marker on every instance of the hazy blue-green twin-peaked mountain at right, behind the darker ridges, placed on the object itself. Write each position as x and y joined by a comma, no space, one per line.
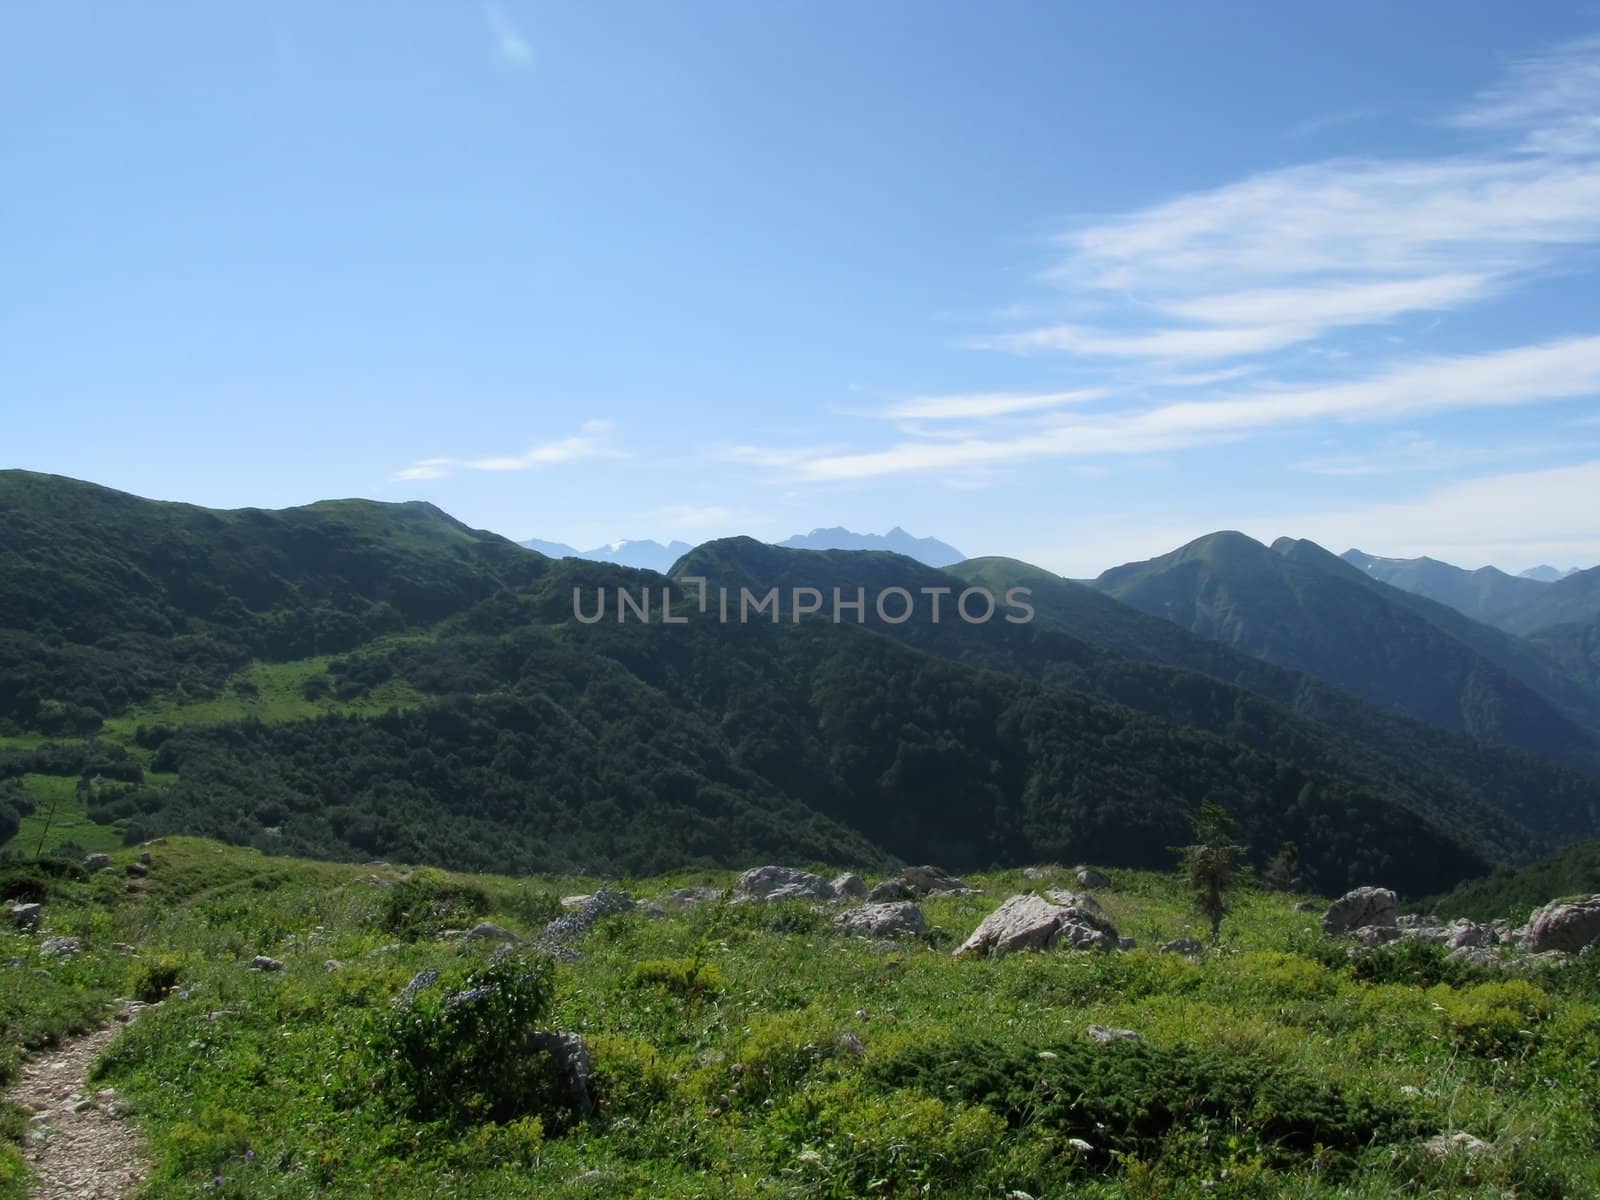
1305,609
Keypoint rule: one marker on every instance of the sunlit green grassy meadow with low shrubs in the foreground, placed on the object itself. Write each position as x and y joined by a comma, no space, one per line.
751,1052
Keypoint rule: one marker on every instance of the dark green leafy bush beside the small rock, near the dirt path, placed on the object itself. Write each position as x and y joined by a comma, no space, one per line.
463,1047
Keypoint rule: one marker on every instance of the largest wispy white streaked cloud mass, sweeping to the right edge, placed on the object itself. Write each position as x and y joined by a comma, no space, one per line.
1222,314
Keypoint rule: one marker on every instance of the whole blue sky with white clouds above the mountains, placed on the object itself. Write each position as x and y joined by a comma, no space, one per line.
1066,282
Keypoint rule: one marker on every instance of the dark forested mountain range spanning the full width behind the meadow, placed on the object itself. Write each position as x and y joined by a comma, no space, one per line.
356,679
